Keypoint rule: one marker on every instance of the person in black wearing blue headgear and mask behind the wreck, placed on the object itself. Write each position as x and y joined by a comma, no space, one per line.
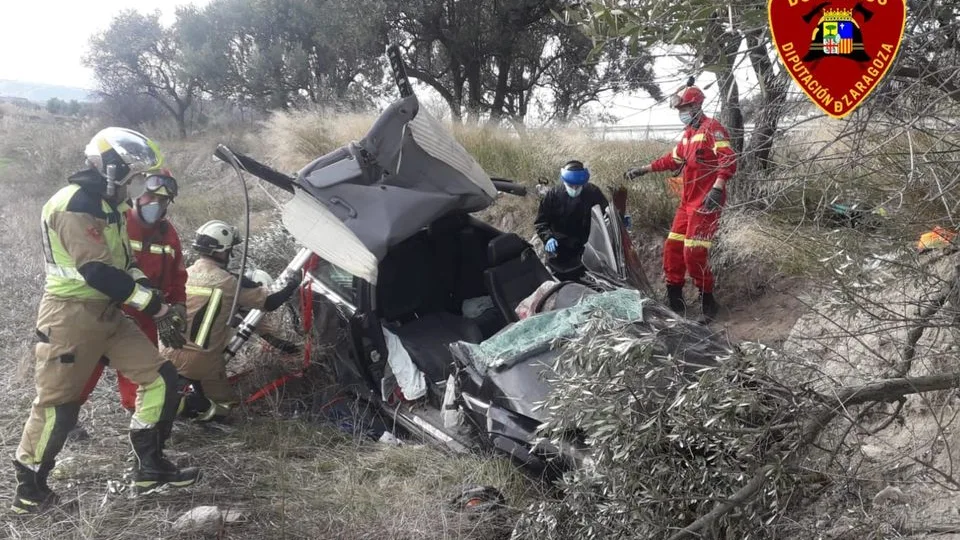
563,220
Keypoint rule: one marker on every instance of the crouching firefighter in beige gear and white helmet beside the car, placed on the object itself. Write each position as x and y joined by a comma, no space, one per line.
210,294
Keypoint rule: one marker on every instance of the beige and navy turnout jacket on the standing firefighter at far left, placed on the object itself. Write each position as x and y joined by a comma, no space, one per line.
86,249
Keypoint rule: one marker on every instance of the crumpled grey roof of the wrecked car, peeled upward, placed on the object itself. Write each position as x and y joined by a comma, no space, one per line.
406,172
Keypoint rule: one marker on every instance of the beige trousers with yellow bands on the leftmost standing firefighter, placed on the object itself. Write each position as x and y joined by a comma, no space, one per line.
73,338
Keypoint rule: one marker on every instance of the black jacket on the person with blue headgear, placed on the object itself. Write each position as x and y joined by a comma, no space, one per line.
567,219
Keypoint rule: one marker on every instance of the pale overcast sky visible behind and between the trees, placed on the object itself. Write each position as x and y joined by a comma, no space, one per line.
50,38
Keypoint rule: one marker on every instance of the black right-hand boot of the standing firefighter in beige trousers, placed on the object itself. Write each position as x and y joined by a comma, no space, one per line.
153,470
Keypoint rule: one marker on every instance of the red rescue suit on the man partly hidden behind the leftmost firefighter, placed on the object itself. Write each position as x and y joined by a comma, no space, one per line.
160,257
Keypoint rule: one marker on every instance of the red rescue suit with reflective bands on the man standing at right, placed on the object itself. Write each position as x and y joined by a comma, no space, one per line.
705,156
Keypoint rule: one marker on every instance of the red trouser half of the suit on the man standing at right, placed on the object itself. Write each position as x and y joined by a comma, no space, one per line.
686,248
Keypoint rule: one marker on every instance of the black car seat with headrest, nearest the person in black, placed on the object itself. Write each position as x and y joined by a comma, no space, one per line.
515,273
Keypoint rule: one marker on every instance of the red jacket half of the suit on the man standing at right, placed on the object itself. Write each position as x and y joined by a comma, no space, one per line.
705,155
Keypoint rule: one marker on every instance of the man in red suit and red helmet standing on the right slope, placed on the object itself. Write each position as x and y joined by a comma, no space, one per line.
707,162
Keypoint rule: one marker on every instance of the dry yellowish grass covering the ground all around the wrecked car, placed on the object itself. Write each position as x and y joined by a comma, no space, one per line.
290,476
